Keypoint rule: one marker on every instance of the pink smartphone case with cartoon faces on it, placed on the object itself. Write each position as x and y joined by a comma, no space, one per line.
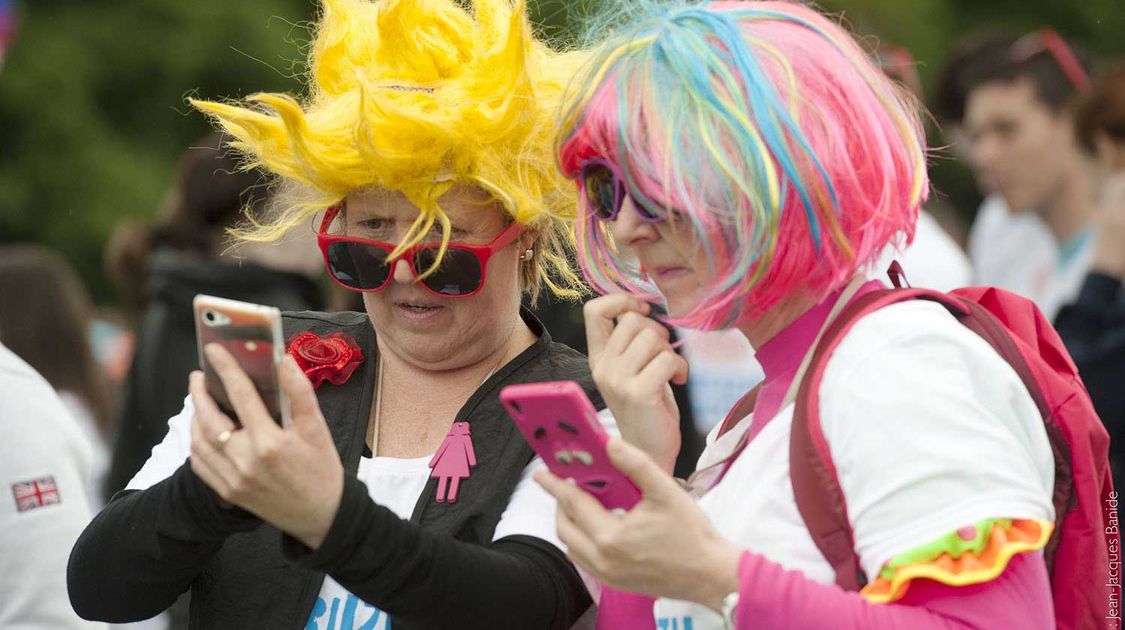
562,426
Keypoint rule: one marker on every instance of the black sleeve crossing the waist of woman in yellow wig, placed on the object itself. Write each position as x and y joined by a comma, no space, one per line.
428,580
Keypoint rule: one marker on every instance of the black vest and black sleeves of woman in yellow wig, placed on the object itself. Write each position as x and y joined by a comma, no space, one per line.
440,570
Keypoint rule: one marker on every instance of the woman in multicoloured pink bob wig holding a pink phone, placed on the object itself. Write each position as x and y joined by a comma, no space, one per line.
742,163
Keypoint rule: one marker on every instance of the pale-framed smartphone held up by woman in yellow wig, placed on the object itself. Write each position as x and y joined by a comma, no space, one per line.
253,335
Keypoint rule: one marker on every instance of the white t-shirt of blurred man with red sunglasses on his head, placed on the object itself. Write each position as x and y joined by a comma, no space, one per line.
1016,251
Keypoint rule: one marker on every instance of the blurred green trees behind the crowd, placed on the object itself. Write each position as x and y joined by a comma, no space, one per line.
94,118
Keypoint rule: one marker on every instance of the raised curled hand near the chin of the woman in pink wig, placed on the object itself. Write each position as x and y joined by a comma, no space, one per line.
633,363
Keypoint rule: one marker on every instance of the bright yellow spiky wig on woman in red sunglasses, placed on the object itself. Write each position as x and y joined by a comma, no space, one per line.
418,96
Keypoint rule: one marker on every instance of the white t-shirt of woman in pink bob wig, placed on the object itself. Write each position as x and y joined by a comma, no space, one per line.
930,430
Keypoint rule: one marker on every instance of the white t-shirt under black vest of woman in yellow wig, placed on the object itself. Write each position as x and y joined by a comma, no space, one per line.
393,483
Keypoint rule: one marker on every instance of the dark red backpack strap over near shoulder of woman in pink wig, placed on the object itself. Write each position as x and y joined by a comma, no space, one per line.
816,485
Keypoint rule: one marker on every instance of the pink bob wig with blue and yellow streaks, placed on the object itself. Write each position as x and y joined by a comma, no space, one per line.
768,131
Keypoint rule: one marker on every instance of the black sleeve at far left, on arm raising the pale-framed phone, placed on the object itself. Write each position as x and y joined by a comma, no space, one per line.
147,547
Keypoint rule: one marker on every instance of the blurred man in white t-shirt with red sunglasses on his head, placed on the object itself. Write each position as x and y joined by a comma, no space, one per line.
1021,140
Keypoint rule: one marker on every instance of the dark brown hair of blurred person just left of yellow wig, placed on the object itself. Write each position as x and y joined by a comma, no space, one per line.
210,195
